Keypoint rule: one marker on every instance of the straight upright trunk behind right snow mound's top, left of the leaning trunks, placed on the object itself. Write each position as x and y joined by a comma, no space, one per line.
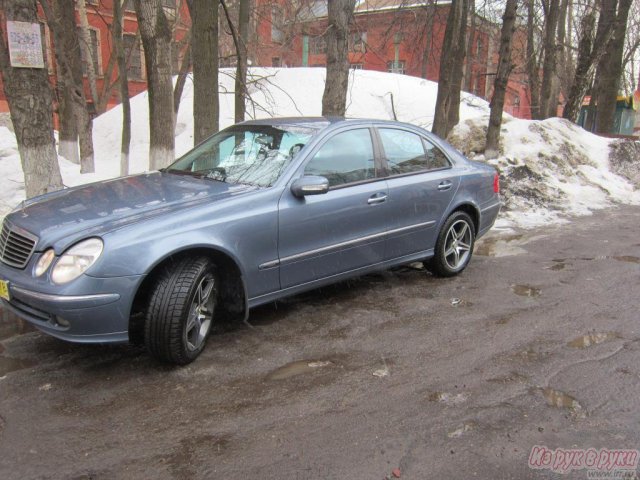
549,64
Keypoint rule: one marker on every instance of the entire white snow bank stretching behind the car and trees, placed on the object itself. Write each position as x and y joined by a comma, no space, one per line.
549,169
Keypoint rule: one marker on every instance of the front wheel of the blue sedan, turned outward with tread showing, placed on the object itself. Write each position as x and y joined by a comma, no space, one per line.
181,310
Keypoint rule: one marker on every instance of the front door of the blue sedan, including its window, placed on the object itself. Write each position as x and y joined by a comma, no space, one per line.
342,230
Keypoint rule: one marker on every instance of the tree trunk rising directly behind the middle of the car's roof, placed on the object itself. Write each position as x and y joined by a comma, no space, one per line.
334,98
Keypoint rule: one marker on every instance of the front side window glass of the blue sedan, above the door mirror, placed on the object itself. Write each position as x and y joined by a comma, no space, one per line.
346,157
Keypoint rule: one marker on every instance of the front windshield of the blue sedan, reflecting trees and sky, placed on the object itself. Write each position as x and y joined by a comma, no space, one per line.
246,154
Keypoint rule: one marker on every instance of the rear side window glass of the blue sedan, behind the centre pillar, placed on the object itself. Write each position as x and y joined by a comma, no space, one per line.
407,152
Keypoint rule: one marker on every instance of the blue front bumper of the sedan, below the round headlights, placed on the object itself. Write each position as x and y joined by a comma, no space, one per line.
75,315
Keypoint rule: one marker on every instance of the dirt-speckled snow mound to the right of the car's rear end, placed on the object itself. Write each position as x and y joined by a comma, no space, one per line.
552,169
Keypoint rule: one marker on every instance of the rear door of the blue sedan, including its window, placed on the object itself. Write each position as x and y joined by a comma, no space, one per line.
422,183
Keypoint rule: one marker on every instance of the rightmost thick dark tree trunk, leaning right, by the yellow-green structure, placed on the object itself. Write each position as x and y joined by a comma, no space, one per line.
610,71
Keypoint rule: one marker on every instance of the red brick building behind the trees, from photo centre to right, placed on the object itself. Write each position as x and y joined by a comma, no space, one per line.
397,36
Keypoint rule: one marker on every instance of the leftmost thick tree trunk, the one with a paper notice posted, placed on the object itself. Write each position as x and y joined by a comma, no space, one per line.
28,93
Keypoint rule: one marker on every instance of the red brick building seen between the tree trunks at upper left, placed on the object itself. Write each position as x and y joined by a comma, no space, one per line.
100,17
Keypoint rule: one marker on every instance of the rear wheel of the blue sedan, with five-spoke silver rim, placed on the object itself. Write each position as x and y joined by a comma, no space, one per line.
454,246
